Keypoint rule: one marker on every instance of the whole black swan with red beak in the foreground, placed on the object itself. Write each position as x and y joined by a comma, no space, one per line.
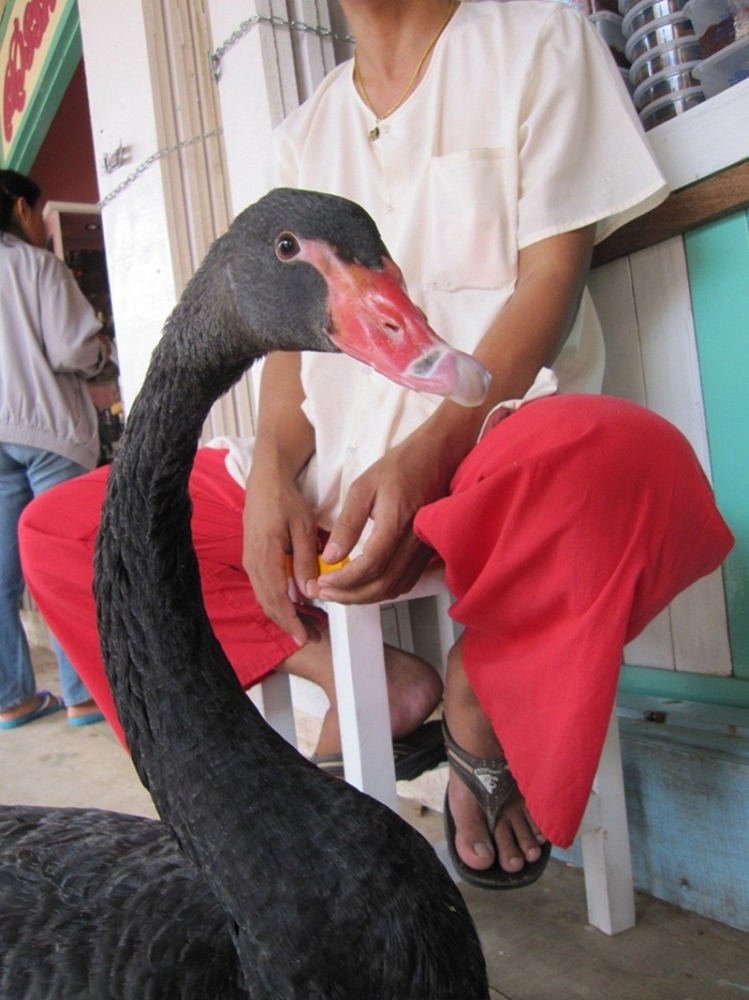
266,878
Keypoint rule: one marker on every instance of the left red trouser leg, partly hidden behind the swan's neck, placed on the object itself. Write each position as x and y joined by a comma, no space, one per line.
57,552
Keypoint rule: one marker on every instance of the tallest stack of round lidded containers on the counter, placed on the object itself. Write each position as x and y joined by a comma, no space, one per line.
663,50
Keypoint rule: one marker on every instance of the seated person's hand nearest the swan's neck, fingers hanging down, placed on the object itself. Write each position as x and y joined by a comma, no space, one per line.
278,521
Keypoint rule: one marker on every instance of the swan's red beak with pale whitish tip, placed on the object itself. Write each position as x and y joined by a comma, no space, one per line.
374,320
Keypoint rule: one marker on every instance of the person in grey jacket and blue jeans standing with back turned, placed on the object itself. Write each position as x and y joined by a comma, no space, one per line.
49,343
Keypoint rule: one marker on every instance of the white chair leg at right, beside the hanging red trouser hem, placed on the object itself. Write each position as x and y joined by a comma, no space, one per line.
604,832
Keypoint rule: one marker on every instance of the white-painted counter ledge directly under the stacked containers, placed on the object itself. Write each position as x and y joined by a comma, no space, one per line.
704,140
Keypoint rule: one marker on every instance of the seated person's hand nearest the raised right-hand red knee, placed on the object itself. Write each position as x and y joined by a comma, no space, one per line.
389,493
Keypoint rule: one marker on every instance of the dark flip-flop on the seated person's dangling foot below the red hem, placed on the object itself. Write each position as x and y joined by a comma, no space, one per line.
491,782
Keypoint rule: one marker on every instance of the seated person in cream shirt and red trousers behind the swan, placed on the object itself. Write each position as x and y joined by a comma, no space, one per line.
494,144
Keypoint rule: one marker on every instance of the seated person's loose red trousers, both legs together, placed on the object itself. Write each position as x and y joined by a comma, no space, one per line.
568,528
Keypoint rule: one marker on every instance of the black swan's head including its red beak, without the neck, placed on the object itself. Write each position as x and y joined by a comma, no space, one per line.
309,271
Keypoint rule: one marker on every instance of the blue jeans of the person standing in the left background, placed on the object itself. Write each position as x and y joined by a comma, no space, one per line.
25,473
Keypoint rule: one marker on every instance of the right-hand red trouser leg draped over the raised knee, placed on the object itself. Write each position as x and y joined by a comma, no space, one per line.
585,516
